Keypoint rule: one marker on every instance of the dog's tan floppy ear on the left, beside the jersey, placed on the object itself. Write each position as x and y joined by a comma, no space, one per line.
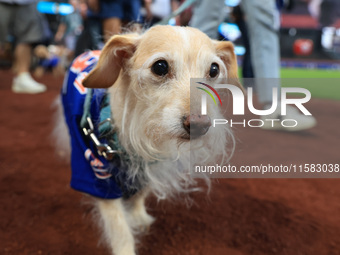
111,60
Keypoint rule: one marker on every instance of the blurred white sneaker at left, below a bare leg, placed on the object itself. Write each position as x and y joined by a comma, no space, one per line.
24,83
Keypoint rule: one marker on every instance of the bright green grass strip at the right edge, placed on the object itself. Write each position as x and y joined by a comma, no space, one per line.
321,83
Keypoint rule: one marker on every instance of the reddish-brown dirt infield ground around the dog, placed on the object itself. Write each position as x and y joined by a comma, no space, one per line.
41,214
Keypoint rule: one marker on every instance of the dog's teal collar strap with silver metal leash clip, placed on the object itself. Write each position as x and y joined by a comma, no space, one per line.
103,135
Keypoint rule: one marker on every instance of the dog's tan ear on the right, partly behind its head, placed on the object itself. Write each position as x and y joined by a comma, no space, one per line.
225,50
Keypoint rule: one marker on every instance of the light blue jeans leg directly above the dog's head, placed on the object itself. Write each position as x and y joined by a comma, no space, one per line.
207,16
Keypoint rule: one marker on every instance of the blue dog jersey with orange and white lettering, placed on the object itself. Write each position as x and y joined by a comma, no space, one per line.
91,173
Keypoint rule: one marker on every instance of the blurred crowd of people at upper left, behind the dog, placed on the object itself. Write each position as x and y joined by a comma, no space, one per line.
88,26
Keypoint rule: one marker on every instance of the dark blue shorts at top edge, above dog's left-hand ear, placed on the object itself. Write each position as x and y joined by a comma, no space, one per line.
126,10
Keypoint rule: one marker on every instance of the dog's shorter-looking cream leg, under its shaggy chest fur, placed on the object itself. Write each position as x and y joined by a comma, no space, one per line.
138,217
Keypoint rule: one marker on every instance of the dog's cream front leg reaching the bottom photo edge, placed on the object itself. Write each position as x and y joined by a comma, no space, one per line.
118,233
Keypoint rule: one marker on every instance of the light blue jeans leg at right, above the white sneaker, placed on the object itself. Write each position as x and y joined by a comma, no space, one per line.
262,24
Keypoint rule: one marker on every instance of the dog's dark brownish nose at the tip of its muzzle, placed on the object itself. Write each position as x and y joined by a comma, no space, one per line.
196,125
